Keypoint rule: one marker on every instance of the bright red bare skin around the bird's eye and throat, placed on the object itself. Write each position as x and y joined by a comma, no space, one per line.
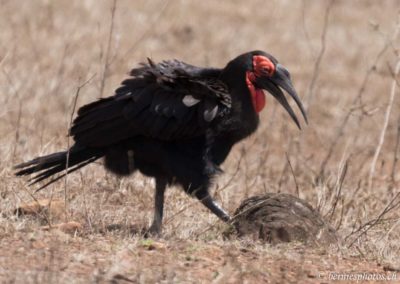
262,66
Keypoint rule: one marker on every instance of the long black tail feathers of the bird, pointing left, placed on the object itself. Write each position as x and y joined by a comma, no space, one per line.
50,165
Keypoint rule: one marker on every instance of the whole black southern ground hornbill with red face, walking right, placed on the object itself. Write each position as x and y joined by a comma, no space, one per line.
174,122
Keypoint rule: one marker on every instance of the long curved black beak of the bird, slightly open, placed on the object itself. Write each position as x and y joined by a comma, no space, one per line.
281,79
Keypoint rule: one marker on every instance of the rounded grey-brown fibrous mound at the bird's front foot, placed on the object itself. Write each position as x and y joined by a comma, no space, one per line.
278,217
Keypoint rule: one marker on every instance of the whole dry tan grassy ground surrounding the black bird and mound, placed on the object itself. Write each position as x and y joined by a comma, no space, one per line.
342,61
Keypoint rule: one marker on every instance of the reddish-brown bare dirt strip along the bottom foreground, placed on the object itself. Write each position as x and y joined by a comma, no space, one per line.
52,256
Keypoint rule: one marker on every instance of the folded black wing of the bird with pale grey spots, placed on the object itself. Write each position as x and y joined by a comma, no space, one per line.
170,100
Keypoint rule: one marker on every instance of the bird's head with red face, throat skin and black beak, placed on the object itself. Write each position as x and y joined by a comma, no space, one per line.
263,72
